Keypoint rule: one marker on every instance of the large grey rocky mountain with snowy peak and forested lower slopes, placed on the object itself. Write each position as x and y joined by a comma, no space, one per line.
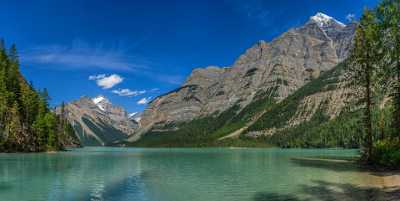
221,103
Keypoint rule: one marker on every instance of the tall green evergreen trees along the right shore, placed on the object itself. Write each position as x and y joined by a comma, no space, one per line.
375,74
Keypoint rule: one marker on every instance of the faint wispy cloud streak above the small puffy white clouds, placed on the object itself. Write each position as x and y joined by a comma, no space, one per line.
82,55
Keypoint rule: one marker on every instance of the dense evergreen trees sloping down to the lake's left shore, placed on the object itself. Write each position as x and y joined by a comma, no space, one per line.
26,122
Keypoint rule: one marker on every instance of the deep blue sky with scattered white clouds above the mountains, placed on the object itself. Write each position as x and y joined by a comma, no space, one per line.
132,51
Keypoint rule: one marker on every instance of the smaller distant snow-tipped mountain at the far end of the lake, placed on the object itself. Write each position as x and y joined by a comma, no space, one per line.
97,122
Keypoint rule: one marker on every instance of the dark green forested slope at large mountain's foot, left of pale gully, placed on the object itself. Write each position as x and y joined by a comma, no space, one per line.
206,131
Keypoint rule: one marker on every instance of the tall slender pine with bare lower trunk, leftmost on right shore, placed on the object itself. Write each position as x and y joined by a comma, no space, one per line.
363,69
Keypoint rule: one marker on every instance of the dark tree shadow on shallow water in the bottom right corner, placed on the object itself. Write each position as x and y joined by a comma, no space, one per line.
327,191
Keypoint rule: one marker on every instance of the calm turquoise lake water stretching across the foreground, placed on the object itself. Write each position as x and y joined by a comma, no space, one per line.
215,174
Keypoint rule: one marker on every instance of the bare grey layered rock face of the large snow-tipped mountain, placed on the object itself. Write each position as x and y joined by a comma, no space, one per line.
278,68
